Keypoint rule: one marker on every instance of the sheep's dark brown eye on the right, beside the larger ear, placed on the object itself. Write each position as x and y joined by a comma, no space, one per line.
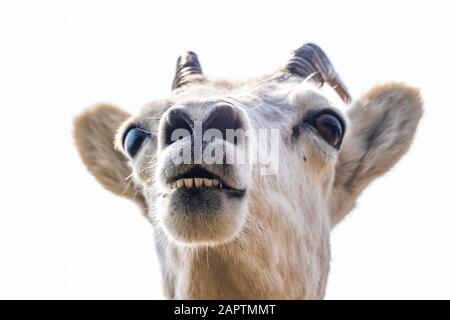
331,128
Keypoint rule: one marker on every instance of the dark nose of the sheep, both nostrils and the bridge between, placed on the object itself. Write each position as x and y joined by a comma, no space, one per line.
220,118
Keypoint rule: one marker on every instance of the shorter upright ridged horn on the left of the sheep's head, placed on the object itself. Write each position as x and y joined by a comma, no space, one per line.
188,70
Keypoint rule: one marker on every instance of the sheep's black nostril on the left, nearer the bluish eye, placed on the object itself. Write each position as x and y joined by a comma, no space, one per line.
177,119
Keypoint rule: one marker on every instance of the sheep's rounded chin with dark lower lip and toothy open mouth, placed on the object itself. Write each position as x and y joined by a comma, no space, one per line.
200,208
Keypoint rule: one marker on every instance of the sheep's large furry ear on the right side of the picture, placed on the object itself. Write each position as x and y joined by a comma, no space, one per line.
382,125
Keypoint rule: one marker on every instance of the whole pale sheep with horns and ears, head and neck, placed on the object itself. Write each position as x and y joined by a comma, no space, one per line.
257,171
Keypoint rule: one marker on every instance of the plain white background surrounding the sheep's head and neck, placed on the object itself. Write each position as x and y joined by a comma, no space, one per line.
63,236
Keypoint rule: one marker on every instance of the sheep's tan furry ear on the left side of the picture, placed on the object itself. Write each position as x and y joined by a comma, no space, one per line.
94,132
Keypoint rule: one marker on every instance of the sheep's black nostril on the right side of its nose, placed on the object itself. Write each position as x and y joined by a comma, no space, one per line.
223,118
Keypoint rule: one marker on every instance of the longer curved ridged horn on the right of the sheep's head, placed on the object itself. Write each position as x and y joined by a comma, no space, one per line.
311,61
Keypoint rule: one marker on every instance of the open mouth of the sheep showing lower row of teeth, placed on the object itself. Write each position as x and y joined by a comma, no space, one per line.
198,177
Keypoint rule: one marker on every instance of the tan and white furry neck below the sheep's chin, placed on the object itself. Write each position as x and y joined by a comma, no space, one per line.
268,260
